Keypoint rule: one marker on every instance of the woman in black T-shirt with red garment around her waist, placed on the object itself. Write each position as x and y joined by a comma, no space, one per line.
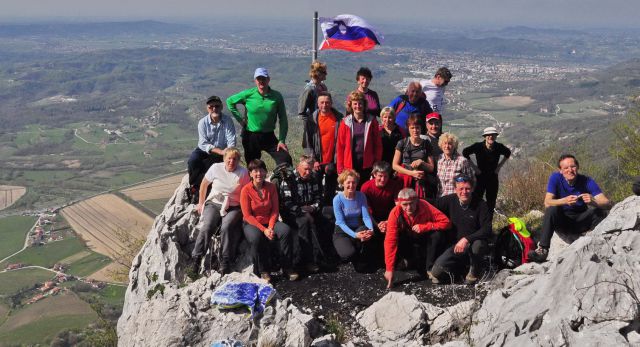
412,159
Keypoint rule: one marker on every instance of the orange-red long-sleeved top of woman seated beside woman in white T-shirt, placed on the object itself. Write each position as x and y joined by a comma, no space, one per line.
260,211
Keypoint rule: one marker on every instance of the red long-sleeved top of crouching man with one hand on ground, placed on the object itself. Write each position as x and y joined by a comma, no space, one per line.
426,217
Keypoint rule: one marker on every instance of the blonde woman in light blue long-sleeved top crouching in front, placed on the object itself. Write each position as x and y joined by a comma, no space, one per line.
354,238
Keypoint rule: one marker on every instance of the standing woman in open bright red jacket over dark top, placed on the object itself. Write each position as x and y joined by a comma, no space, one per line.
359,143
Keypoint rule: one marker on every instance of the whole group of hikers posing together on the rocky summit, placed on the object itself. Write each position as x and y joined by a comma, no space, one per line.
393,192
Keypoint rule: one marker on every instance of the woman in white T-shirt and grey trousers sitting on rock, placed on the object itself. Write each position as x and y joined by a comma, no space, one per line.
221,207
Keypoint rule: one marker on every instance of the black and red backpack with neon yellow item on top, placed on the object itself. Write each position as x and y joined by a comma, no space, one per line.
513,244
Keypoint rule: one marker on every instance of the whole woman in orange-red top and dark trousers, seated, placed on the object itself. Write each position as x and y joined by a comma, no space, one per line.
259,201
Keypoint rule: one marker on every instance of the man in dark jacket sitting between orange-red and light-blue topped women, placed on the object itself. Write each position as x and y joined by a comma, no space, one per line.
301,209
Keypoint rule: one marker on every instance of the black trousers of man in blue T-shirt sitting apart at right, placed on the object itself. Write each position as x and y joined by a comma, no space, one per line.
555,217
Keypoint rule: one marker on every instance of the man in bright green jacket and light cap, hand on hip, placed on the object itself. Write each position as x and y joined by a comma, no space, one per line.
263,106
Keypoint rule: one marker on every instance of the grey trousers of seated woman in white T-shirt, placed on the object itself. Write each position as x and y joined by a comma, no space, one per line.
229,232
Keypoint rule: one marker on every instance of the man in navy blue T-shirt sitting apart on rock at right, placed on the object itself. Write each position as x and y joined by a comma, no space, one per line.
569,196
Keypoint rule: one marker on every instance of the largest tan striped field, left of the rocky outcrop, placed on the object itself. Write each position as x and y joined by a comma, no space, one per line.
103,220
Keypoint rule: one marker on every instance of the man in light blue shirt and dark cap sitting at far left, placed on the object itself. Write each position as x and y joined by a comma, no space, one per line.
215,133
